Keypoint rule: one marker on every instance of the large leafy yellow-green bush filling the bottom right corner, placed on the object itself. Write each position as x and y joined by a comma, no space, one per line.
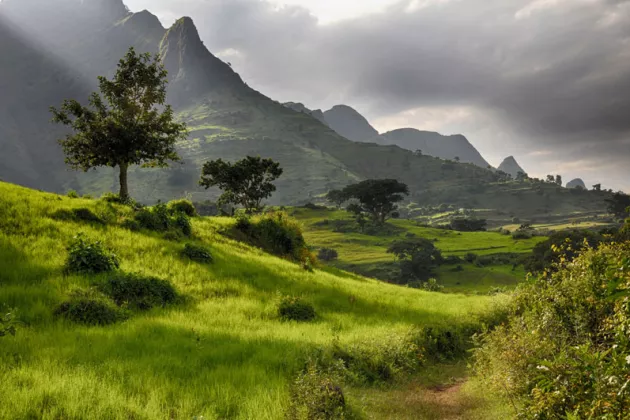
564,350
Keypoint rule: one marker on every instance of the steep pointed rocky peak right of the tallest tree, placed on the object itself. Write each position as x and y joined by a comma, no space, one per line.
193,70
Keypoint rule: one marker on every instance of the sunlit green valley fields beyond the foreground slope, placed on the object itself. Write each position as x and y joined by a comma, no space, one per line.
366,253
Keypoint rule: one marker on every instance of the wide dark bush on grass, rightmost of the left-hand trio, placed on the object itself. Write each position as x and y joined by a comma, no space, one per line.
137,291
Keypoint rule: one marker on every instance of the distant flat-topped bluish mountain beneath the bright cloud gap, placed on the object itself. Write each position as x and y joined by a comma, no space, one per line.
455,147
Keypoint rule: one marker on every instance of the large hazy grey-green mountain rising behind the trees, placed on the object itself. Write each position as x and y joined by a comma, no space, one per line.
226,118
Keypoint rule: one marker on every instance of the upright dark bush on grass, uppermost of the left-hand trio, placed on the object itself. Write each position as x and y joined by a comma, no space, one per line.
89,257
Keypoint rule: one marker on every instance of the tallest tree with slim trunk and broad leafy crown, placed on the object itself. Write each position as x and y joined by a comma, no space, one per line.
127,125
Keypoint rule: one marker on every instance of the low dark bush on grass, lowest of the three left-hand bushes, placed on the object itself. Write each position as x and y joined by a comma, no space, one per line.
90,308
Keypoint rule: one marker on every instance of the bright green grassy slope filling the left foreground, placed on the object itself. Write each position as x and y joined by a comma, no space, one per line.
224,354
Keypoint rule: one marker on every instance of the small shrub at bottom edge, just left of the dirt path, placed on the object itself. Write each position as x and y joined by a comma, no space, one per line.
316,395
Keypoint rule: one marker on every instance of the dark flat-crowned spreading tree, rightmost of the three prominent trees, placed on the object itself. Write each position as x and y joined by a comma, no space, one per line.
377,197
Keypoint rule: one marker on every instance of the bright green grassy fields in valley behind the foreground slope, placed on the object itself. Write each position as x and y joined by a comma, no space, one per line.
367,254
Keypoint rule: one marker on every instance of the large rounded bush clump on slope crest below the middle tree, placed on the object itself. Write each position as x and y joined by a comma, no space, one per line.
277,234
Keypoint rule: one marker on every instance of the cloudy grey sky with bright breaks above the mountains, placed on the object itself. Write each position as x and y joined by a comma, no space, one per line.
547,81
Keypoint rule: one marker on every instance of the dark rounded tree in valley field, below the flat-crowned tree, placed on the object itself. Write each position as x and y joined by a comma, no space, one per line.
418,258
